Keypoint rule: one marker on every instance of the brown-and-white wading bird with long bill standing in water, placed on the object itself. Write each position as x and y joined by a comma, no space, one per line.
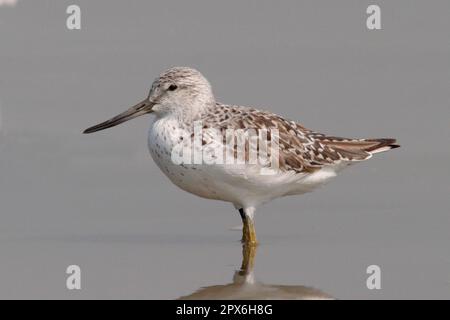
181,98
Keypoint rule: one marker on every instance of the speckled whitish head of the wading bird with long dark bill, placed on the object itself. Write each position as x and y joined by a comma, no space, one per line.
179,90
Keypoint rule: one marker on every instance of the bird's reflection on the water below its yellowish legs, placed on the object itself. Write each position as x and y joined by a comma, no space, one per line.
245,287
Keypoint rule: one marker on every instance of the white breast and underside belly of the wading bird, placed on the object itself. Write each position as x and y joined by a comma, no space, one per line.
242,185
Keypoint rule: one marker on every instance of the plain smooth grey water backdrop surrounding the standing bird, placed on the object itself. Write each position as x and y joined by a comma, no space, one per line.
100,202
